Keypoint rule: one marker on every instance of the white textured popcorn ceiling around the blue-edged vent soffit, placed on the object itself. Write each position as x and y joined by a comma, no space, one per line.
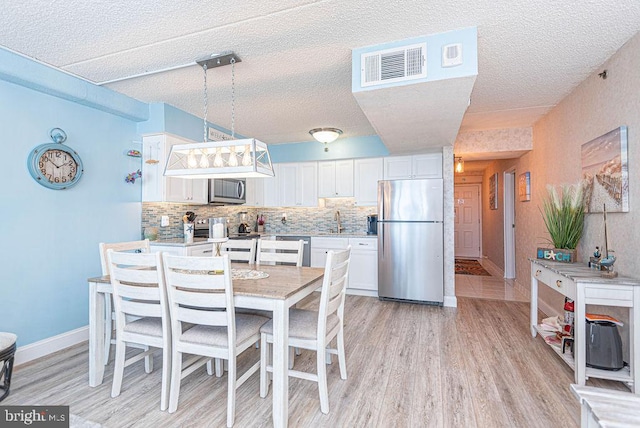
295,72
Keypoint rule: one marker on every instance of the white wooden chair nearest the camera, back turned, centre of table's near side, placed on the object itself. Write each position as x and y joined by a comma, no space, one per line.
200,292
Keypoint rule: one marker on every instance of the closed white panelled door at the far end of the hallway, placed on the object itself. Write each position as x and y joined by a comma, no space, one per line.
466,204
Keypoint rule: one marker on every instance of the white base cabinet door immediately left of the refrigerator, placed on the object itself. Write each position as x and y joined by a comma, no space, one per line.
363,266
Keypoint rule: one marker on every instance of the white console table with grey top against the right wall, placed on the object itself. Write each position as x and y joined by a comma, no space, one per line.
585,286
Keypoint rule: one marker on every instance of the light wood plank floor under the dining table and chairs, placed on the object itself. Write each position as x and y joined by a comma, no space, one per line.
408,366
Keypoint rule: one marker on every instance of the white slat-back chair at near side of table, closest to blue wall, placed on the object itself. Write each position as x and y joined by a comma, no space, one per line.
142,313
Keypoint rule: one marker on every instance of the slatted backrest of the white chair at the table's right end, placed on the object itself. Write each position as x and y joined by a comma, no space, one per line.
334,284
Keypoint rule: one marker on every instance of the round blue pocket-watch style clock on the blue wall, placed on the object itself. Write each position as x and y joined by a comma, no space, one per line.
54,165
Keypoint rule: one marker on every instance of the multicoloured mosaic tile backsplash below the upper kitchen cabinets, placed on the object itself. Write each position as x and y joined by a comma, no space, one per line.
303,221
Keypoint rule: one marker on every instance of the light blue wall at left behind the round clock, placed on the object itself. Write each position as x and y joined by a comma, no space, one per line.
49,237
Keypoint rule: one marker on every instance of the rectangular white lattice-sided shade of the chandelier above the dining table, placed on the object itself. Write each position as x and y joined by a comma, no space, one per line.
220,159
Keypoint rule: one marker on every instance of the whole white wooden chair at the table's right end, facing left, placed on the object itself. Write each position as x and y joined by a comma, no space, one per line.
315,330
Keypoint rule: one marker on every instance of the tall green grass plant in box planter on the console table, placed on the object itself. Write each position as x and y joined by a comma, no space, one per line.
563,212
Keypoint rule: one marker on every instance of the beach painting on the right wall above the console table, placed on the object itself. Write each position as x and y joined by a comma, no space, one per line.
605,170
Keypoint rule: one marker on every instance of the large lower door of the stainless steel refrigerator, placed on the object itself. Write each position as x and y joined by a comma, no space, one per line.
410,262
